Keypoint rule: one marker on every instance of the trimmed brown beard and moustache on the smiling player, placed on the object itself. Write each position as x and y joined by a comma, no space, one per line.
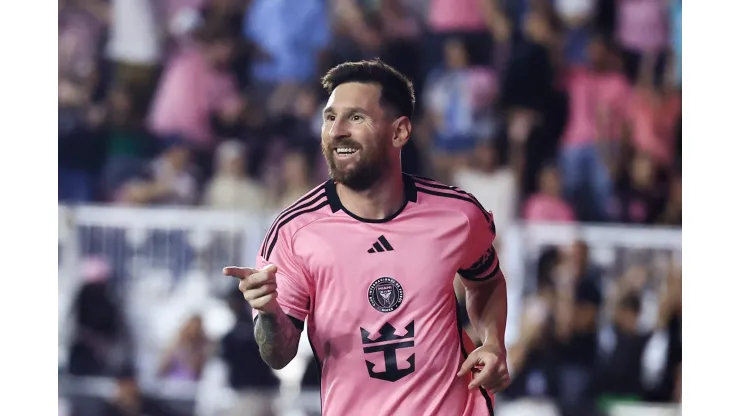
361,175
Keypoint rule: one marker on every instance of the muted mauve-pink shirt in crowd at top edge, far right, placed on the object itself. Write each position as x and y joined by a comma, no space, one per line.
642,25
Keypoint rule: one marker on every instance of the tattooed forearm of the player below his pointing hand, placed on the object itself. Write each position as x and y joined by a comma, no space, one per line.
277,338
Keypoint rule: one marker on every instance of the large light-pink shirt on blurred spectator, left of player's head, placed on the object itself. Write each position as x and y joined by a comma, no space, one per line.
189,92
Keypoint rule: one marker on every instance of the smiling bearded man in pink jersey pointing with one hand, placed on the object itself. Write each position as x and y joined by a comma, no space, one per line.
369,258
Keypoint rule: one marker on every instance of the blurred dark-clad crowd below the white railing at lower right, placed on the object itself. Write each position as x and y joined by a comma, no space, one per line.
594,336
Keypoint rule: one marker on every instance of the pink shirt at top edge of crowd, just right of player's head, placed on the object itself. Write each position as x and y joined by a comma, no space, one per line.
456,15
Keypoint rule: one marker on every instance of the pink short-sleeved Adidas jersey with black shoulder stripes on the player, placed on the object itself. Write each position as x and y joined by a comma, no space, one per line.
378,297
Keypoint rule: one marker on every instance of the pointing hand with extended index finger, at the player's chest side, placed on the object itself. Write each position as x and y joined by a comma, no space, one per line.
258,286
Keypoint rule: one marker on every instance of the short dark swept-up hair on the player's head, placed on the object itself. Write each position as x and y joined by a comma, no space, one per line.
396,90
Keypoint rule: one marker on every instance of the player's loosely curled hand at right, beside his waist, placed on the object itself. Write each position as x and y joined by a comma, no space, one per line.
494,375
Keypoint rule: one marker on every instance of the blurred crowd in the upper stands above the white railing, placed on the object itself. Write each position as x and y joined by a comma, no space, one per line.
546,110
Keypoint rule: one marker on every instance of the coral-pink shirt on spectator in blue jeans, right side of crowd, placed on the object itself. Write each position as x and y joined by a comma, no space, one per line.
589,94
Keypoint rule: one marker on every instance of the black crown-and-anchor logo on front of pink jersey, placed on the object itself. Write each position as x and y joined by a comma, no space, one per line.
390,343
